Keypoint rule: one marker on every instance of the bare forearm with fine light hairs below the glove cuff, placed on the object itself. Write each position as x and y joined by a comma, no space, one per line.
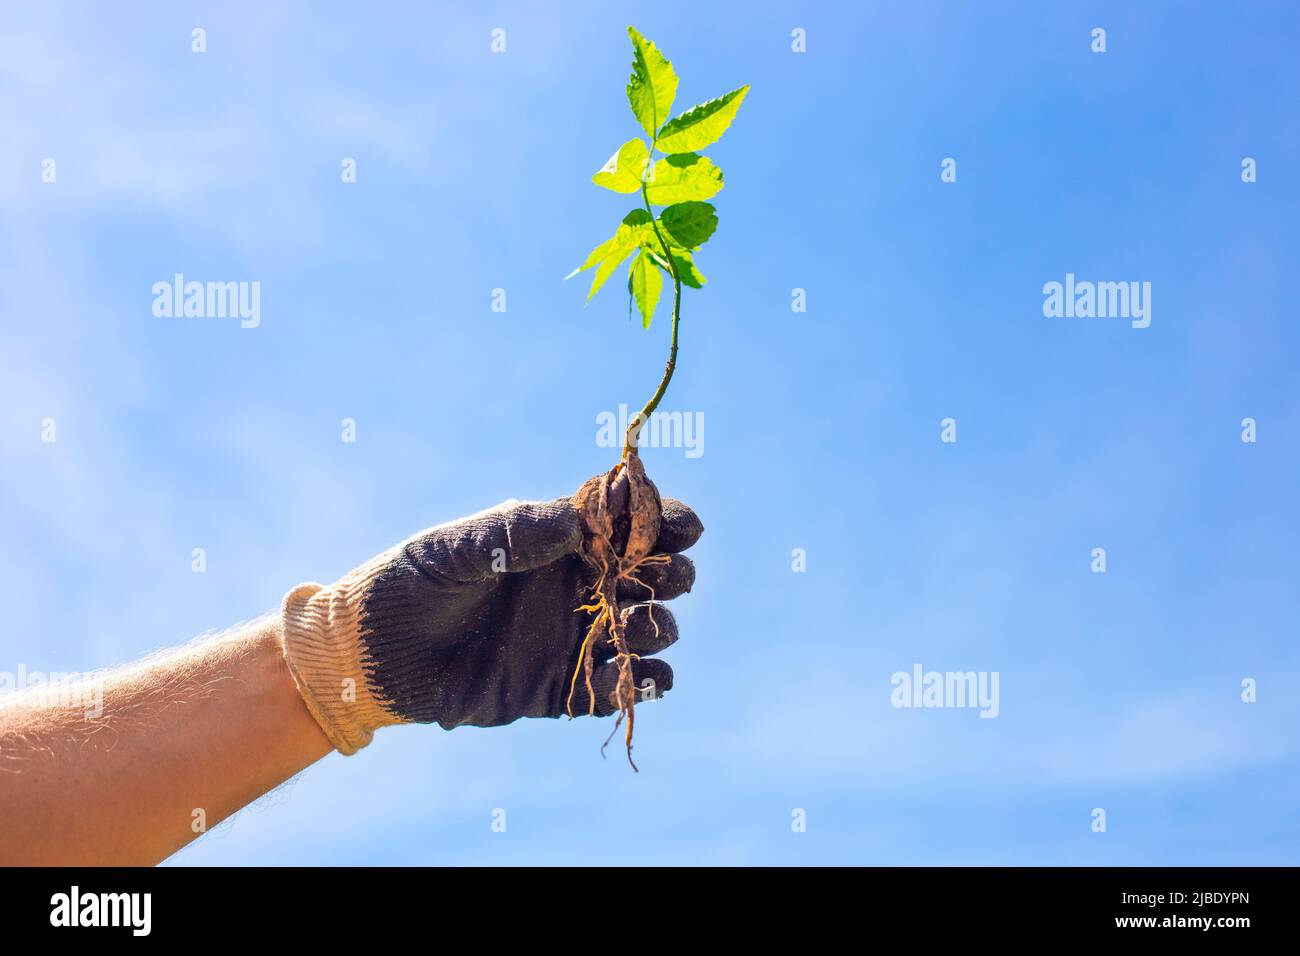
184,742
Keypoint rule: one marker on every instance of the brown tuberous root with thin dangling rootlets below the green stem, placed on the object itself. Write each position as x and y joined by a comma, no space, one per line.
622,513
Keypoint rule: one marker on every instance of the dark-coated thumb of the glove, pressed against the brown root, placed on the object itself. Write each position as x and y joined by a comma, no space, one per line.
514,537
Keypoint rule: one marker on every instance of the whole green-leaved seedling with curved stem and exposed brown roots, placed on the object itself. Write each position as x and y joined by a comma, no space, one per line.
621,509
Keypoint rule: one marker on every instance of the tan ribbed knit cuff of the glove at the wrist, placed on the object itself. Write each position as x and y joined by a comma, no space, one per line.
326,656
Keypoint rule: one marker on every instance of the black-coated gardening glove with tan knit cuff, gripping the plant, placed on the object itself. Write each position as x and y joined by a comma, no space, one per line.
476,622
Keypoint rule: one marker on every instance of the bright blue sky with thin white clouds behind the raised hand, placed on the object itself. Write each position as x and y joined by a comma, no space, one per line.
925,301
